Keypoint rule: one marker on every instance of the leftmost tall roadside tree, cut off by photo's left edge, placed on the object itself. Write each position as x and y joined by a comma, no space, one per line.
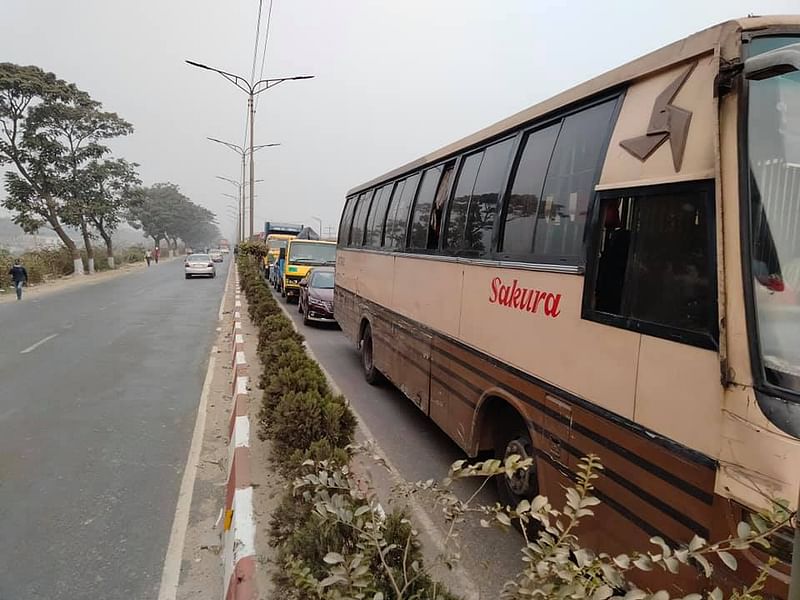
34,189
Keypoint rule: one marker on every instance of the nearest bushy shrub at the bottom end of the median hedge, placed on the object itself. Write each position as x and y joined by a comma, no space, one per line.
335,541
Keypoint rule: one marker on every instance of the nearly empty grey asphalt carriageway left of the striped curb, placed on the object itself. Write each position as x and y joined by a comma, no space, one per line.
99,387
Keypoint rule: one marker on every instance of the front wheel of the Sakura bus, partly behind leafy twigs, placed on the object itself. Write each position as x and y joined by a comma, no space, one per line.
513,438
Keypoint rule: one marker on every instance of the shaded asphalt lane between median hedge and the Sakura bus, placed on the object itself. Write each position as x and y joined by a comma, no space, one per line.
418,449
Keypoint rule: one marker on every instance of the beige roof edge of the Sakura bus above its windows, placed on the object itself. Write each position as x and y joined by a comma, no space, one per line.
696,44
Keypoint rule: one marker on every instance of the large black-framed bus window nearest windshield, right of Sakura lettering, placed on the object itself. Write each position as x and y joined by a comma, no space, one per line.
654,263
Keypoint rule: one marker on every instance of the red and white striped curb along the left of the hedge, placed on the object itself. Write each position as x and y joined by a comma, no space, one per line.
238,553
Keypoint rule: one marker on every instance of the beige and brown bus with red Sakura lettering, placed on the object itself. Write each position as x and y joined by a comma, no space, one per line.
615,270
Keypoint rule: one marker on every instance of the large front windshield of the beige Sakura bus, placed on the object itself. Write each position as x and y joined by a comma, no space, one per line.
774,155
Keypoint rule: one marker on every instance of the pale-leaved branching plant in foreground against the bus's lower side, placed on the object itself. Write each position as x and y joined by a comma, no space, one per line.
555,565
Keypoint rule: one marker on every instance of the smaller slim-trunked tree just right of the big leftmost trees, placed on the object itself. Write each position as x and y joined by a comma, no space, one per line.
109,197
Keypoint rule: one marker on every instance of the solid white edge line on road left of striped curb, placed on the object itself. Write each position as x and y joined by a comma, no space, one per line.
170,576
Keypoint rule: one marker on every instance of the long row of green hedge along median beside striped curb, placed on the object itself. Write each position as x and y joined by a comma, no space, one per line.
309,425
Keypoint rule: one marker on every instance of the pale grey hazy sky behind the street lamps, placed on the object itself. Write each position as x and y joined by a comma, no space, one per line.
394,80
